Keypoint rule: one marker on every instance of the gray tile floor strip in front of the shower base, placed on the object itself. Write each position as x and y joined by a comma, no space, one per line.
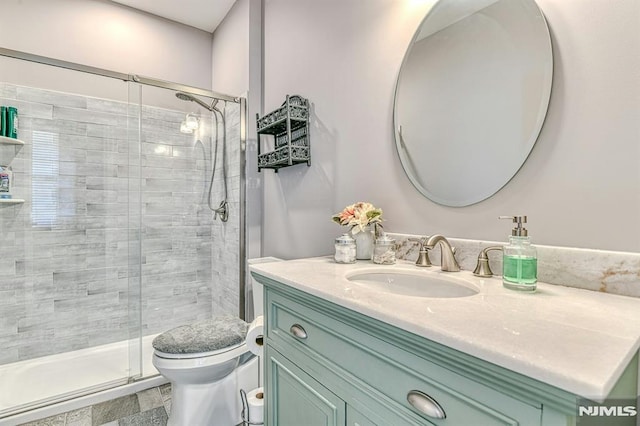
146,408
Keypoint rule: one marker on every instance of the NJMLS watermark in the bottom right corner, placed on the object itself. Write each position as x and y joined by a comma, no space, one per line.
612,412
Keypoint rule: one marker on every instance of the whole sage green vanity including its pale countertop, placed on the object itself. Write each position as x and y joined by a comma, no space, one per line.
329,361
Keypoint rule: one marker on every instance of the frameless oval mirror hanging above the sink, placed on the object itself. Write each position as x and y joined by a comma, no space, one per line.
471,97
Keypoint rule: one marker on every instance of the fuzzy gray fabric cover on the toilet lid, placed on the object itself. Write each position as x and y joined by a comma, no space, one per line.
203,336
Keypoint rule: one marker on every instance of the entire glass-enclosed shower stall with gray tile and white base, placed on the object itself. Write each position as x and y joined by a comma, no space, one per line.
127,219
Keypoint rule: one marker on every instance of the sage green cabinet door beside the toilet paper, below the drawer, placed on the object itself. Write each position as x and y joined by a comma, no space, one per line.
294,398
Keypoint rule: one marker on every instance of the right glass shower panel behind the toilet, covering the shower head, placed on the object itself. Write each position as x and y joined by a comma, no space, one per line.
187,256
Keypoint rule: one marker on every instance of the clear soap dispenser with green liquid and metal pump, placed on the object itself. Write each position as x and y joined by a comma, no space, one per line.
519,259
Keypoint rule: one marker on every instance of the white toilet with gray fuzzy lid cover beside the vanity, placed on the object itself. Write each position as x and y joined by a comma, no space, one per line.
207,364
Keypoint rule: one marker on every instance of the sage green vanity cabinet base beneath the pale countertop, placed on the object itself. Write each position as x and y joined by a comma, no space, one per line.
329,365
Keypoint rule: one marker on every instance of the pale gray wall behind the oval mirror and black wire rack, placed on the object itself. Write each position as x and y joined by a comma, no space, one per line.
580,186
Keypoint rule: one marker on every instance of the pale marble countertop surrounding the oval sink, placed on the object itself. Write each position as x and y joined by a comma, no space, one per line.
577,340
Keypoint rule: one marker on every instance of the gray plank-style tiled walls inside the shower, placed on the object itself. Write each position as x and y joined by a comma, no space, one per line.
69,259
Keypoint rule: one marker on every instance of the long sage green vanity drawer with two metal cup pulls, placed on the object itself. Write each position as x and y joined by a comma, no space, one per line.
391,370
